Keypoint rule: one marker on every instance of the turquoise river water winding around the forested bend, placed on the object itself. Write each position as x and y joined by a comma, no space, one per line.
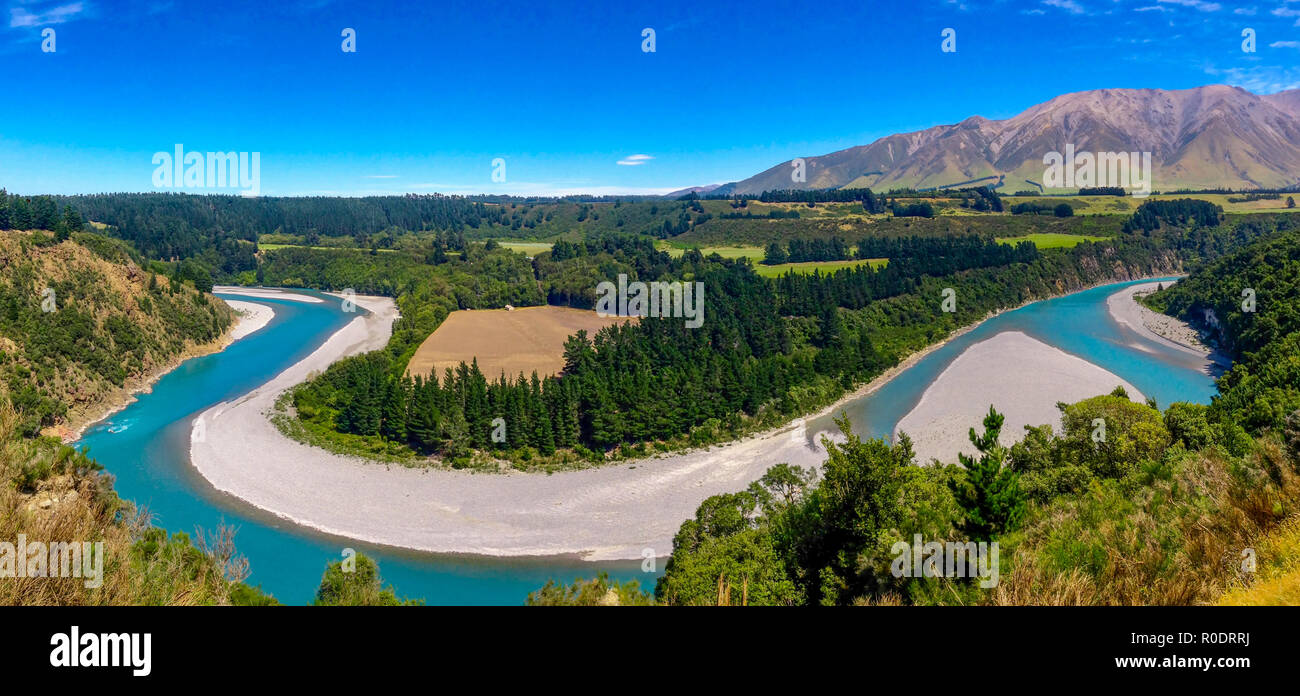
146,446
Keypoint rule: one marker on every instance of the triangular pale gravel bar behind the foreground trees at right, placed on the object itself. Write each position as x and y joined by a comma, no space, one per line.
1022,378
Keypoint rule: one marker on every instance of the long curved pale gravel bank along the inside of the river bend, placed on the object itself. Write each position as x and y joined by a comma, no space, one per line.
618,512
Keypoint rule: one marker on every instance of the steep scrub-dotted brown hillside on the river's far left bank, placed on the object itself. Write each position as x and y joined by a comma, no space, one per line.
80,330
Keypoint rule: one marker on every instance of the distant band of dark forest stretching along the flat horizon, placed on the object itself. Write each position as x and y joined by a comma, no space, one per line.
222,235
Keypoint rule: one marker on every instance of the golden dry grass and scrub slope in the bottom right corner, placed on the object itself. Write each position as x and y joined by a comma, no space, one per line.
1176,542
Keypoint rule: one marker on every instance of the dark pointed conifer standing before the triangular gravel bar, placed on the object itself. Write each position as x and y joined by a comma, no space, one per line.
991,492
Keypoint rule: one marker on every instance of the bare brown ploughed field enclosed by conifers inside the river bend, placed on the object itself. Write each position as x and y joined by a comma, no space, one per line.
509,341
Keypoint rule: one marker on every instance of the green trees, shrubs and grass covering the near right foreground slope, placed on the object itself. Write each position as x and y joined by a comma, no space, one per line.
1158,513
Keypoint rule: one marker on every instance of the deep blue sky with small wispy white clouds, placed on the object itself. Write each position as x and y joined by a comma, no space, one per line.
564,92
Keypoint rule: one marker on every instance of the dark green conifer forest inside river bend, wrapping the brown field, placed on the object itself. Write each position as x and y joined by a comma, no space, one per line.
791,345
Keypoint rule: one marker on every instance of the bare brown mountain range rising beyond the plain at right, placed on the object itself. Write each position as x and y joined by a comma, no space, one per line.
1207,137
